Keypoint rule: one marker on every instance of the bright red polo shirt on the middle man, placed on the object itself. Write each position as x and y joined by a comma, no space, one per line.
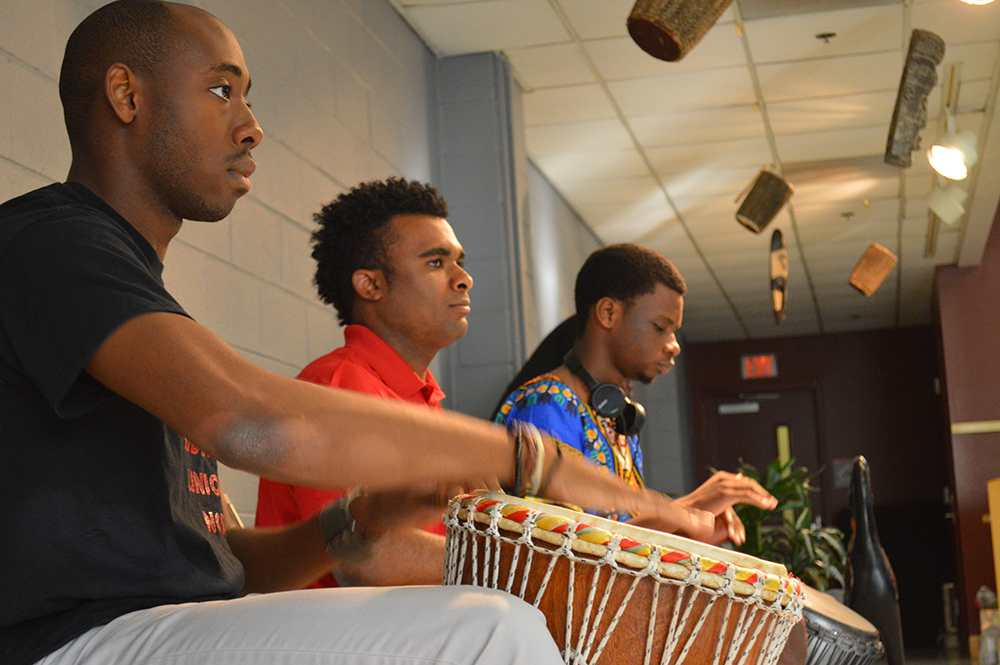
368,365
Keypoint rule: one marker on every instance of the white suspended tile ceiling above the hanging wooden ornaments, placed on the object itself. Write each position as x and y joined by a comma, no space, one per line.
657,153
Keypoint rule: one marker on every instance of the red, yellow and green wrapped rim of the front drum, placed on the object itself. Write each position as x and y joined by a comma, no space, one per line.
593,540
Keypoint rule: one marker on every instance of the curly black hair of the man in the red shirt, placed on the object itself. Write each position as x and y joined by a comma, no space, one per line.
353,234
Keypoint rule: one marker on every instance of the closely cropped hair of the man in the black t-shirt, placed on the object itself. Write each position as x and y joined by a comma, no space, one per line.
136,33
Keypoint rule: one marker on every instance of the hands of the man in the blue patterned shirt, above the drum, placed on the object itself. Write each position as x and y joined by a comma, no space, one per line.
718,494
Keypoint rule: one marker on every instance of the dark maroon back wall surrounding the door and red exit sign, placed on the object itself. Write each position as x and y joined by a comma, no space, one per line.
875,394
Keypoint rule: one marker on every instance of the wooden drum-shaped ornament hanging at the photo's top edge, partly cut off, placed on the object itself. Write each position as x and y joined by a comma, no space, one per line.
669,29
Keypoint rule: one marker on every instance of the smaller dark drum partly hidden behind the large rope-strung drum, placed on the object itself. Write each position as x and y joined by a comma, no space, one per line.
836,634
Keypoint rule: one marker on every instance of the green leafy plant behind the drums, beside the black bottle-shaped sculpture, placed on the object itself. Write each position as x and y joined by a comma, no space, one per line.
788,534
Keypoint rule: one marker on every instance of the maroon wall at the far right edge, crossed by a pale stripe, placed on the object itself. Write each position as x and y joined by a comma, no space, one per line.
967,312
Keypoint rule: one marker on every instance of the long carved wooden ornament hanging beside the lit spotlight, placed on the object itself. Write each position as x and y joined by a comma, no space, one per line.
910,113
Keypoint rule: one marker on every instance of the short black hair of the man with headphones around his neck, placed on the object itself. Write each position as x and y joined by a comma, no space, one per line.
623,272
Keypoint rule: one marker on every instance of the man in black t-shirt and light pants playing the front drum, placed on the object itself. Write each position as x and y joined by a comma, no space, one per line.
115,406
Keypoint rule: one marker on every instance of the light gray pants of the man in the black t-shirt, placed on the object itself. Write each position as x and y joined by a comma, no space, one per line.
413,625
